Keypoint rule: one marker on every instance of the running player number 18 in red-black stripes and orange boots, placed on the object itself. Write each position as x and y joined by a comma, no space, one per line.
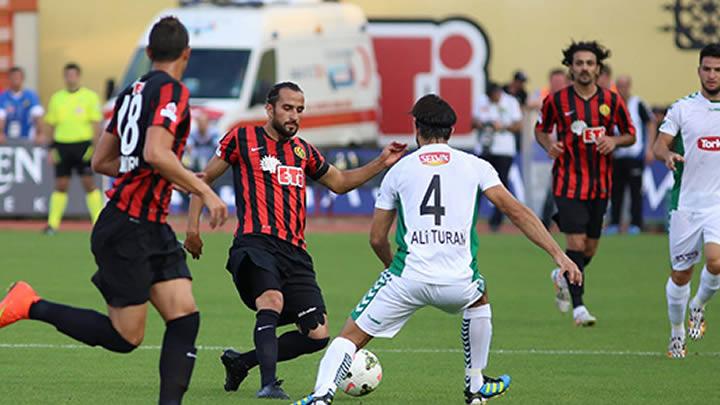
138,257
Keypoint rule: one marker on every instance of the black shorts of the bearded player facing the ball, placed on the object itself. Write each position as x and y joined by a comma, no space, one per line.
259,263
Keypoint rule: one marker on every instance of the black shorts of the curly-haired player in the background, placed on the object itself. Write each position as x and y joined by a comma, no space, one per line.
580,216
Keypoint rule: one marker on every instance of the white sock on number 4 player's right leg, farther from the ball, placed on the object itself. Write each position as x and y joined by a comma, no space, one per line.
476,336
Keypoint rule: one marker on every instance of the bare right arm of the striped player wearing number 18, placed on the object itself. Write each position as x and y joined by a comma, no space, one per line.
158,153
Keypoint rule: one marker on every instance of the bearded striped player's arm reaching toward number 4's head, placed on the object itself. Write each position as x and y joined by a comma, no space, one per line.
342,181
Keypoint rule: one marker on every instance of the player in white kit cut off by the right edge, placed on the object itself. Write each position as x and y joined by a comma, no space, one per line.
689,144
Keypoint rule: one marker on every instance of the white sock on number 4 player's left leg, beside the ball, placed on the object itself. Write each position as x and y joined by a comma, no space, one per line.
334,365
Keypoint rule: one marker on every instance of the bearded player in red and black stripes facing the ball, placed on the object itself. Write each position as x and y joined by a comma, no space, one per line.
271,269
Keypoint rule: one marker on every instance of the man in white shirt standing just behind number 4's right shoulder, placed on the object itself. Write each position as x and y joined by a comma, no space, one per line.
497,116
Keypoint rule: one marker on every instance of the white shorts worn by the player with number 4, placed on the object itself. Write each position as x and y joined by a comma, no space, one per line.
392,300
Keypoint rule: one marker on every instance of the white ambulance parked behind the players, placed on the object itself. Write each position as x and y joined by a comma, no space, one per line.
241,48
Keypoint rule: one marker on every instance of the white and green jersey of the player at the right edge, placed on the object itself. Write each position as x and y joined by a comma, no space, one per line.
694,121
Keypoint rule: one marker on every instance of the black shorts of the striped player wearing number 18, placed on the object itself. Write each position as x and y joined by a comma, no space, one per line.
132,255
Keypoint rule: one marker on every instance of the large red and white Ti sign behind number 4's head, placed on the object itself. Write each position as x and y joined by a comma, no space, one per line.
416,57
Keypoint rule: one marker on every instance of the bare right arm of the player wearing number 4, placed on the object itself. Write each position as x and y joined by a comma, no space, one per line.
530,225
